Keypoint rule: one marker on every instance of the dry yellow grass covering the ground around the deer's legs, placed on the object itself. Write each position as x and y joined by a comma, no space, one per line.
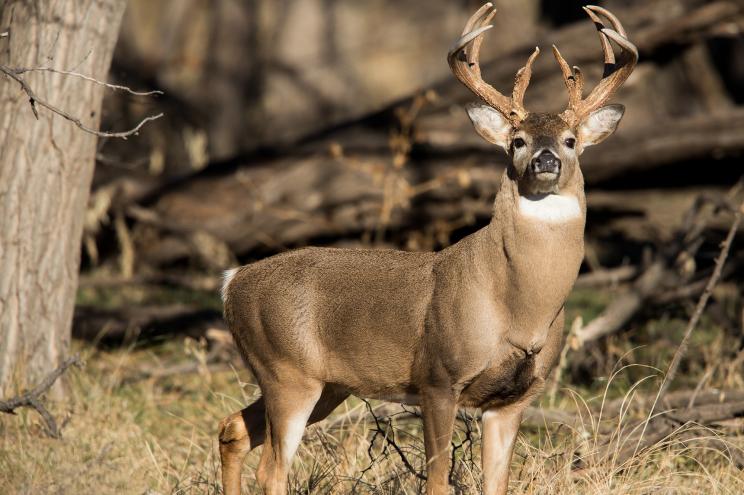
159,437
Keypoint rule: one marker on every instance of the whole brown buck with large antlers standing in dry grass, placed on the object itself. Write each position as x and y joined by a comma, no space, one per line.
478,324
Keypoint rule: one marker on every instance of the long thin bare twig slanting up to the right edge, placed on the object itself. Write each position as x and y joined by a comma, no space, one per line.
702,302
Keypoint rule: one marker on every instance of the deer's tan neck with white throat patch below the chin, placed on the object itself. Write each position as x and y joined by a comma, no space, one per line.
530,254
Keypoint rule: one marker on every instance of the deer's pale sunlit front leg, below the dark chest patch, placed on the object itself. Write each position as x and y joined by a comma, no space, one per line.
500,428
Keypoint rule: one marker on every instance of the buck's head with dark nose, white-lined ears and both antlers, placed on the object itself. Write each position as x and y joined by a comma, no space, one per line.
544,147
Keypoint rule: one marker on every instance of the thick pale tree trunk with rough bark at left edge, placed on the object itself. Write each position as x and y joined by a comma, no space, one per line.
45,172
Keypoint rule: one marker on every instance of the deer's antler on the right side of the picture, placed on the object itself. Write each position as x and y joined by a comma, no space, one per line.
615,73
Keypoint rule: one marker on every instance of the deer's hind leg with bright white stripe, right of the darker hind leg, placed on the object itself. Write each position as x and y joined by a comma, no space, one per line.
289,406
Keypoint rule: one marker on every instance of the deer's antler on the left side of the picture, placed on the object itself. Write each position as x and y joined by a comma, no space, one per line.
463,60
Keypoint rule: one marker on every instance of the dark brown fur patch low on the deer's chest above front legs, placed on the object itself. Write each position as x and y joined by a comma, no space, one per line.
501,384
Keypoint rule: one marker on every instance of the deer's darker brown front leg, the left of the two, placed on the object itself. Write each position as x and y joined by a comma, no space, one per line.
439,408
